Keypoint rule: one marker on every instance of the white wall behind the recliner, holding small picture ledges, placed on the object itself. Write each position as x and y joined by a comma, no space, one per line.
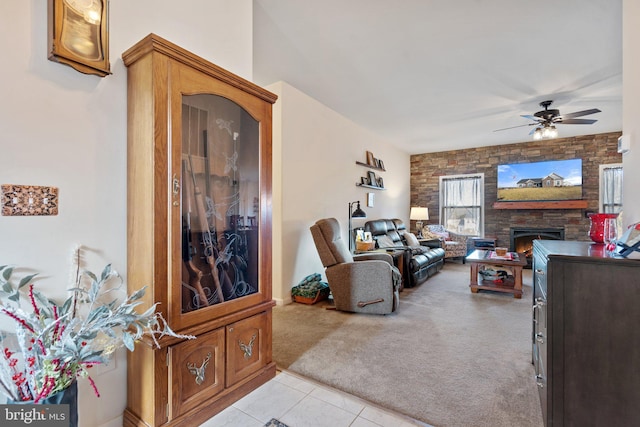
317,149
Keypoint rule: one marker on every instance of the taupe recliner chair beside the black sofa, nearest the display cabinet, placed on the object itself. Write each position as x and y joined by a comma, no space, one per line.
365,283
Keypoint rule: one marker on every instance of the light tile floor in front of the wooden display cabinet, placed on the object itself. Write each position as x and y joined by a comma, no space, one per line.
299,402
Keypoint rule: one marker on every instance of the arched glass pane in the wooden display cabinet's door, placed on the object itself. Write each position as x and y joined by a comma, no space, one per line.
220,201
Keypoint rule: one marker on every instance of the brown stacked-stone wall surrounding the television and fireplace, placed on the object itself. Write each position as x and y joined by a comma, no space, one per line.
594,150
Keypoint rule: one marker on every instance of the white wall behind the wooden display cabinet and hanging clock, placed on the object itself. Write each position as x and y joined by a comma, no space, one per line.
62,128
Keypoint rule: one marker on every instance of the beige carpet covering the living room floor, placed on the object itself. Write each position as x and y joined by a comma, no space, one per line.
446,357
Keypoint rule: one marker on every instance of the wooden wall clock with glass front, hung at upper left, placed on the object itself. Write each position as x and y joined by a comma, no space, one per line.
78,35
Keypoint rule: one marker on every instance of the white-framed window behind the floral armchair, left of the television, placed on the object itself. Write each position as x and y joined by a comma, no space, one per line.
462,203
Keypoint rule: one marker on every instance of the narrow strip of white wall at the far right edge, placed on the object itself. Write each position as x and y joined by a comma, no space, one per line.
631,107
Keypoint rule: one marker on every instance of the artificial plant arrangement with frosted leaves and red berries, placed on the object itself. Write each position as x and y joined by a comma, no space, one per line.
54,344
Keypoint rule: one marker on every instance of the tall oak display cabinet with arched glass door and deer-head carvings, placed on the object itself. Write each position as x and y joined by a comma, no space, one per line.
199,233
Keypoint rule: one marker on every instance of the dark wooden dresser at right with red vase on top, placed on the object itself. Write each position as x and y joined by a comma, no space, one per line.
586,339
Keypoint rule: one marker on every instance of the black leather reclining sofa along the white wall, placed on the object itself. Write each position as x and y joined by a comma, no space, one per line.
420,262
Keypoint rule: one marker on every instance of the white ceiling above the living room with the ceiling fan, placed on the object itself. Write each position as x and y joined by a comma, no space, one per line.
436,75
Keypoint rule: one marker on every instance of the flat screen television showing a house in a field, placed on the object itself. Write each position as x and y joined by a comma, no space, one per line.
550,180
